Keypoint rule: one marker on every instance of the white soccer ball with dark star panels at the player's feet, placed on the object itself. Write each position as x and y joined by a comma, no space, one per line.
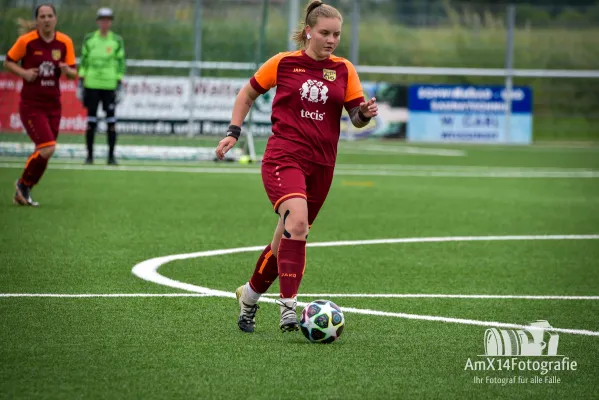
322,321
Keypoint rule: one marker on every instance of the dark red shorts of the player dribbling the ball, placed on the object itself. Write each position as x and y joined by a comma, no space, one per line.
287,178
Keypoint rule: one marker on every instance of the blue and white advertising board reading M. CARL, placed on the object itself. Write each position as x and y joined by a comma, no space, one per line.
454,113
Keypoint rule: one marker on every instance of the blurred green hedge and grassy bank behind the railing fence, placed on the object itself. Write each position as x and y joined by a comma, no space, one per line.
381,43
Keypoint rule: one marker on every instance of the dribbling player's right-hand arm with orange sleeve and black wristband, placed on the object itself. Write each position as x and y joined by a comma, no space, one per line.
360,111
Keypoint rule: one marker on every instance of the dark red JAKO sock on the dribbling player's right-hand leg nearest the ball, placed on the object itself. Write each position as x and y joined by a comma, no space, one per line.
292,261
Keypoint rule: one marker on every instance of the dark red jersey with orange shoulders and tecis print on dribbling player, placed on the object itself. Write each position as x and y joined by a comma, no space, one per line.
306,111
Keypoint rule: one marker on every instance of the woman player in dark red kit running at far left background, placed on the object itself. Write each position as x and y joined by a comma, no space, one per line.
44,54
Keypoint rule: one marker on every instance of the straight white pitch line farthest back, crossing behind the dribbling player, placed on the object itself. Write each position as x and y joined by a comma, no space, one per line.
343,172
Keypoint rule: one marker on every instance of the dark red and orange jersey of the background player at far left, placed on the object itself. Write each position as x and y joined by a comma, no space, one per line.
34,52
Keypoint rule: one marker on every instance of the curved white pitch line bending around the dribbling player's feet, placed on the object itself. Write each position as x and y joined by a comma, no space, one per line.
148,270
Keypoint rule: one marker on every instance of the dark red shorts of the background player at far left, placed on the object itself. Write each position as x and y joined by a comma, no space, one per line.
41,125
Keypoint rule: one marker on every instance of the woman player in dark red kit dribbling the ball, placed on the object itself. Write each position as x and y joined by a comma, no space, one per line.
313,86
